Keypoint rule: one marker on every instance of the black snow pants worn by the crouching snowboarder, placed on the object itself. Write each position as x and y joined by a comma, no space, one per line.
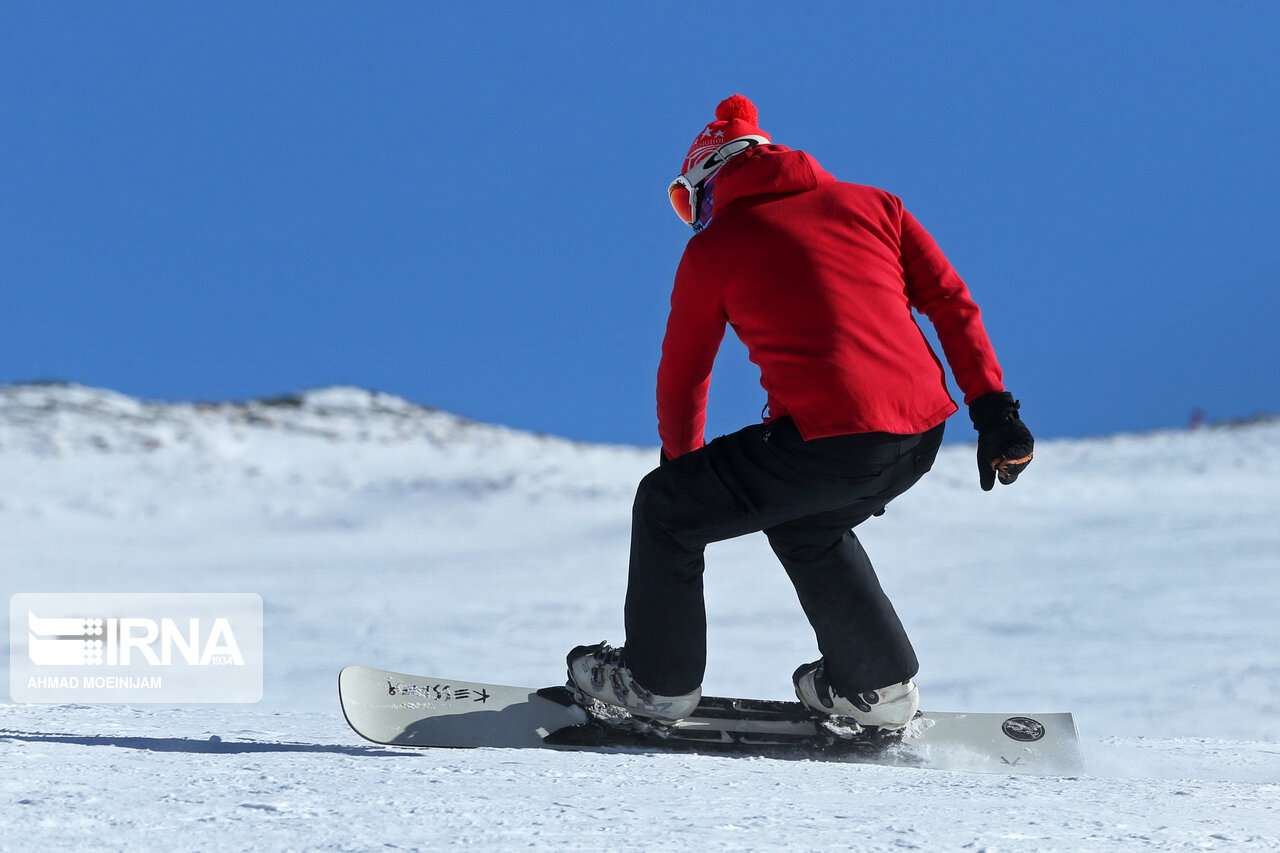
807,498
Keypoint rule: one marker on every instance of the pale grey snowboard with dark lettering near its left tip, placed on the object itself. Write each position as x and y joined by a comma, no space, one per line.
401,710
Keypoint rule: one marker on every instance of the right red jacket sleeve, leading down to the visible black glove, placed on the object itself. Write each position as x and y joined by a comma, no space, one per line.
936,291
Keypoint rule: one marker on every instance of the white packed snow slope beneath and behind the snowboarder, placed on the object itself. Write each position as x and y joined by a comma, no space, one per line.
1132,581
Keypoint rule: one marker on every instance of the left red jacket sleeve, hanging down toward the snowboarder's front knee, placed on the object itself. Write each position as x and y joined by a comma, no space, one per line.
696,329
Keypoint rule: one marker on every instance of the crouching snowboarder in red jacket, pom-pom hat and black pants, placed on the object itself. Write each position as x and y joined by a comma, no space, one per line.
819,280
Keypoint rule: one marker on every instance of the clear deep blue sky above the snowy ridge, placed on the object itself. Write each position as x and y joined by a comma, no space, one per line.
464,204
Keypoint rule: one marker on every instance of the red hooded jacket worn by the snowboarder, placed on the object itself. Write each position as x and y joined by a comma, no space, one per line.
819,280
